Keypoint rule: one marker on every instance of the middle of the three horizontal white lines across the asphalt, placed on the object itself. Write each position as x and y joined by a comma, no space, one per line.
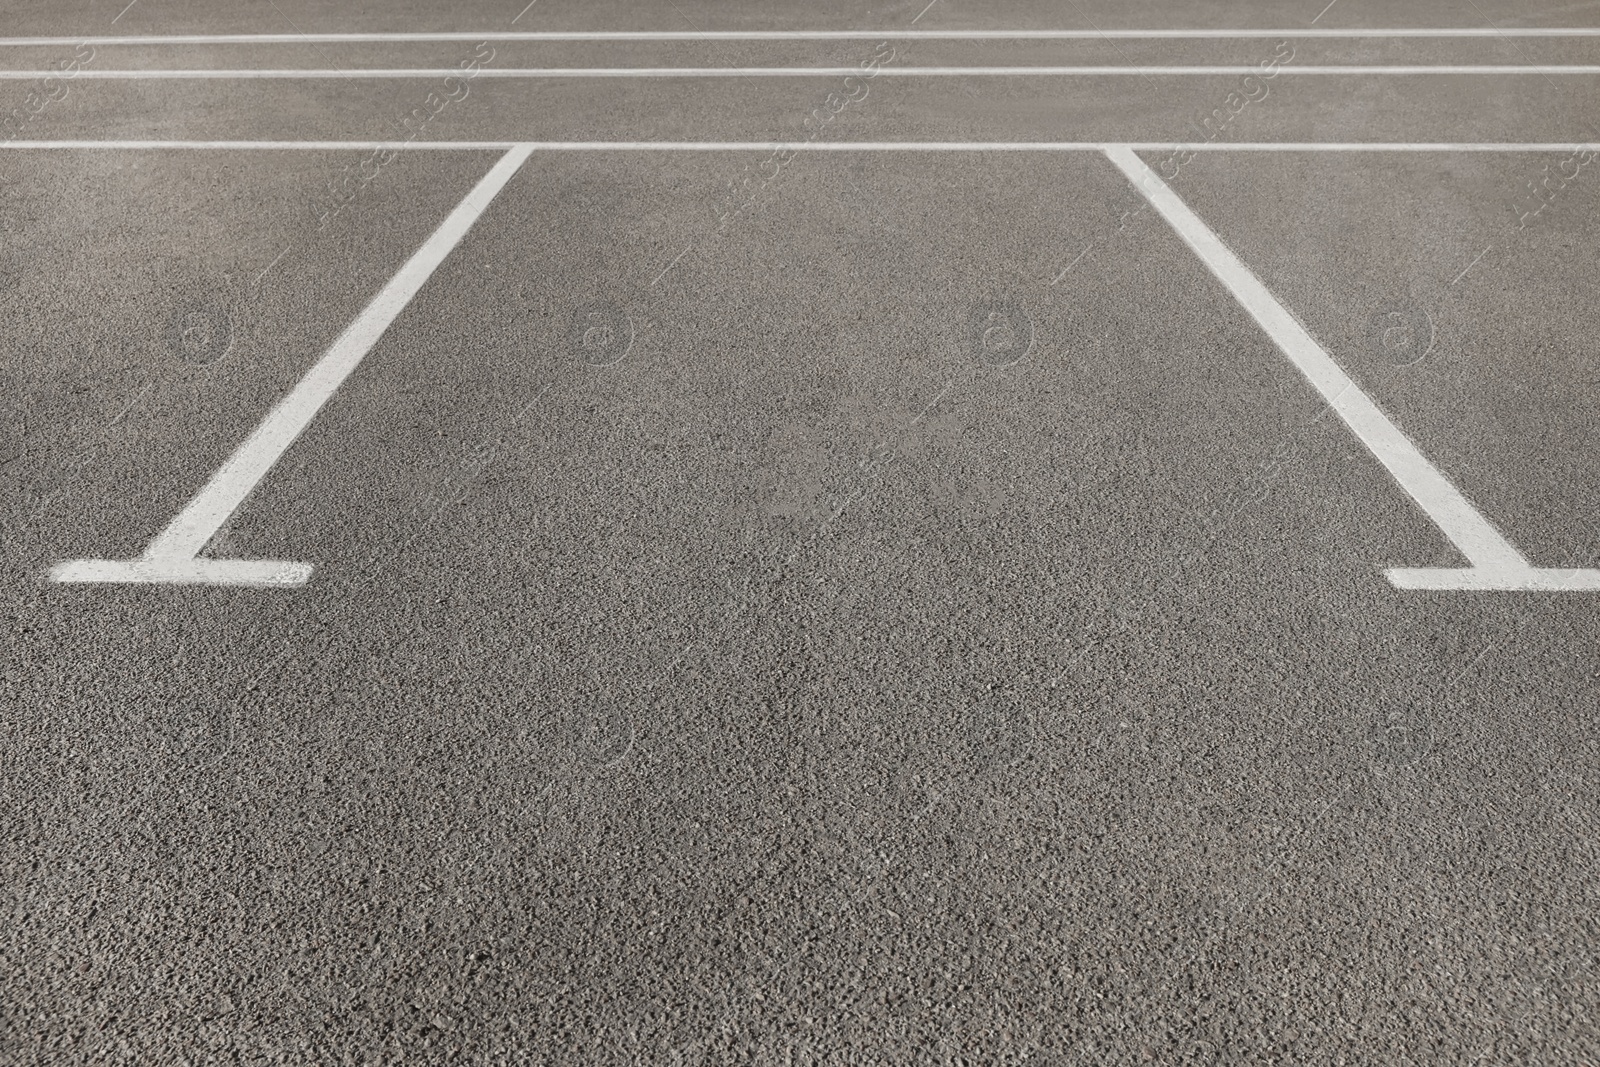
786,73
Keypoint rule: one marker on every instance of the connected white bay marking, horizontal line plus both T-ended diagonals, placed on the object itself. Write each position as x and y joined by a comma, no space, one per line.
174,556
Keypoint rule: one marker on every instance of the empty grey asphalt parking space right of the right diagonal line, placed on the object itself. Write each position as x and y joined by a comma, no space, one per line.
1441,282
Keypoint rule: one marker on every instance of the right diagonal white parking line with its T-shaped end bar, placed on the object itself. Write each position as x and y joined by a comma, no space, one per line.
1495,562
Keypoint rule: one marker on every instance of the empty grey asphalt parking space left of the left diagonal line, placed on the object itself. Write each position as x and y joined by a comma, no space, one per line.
159,306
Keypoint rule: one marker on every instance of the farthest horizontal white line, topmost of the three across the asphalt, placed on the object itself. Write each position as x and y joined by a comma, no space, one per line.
881,34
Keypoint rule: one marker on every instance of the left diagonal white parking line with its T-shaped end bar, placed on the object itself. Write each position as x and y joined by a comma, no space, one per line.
174,556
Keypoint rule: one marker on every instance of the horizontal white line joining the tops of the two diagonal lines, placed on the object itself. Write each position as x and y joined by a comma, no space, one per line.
818,146
